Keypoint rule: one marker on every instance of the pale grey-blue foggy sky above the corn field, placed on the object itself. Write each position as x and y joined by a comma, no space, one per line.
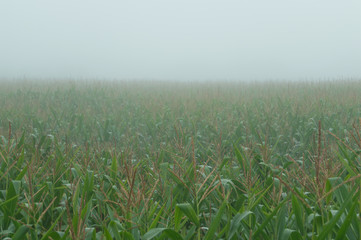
180,39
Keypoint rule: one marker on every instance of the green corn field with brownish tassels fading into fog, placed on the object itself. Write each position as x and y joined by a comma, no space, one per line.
161,160
